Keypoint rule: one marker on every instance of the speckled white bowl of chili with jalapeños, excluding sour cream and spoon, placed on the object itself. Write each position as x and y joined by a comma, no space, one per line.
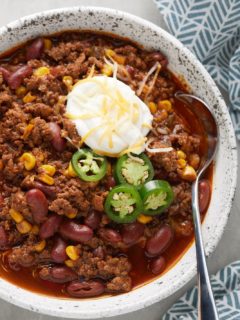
138,190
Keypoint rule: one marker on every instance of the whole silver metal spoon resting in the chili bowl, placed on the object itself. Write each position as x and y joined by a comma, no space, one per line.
206,305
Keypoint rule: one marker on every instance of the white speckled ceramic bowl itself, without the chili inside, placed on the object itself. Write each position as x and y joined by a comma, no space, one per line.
182,62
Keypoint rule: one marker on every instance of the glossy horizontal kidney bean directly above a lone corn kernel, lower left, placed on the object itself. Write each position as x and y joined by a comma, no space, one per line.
75,232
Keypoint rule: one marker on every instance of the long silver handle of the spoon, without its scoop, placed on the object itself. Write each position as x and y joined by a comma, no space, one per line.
206,305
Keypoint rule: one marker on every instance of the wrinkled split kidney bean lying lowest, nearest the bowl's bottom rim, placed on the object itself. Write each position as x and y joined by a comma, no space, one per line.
85,289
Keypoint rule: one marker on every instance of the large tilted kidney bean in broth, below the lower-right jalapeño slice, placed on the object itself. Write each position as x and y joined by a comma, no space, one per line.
159,242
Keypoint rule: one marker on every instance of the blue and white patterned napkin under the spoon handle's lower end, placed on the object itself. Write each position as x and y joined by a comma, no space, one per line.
226,288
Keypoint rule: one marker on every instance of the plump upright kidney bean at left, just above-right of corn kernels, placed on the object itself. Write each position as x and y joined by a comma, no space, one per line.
38,204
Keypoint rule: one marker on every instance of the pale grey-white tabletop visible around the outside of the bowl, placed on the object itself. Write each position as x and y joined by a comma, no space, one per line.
228,248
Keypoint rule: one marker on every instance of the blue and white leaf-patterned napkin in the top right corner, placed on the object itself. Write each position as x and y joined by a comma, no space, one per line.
211,29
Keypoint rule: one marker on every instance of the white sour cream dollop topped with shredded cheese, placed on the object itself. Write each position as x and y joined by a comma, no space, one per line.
108,115
